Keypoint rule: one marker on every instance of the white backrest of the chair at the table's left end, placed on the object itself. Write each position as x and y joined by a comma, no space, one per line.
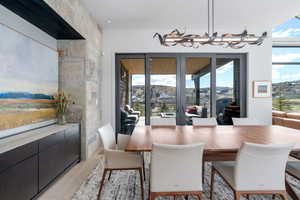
107,136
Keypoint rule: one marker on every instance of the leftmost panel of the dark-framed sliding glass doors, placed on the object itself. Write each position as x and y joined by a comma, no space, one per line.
130,92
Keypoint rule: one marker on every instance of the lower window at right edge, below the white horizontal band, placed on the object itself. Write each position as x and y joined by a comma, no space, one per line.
286,79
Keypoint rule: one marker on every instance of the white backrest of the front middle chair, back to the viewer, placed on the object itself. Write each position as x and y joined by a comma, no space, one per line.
176,168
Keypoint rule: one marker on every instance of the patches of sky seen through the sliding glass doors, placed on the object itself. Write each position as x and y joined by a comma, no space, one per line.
224,78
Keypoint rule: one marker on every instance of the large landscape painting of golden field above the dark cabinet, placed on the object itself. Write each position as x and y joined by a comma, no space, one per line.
28,80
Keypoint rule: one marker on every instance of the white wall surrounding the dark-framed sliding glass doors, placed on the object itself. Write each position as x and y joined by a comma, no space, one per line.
140,41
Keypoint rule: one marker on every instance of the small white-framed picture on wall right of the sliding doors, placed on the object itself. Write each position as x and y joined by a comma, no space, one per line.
262,89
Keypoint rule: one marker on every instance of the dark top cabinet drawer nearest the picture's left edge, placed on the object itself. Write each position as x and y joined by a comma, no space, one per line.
14,156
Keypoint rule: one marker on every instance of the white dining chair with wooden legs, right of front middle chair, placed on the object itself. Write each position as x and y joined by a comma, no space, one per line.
259,169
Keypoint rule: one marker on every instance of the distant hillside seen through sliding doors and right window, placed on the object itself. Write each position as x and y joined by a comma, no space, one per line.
286,95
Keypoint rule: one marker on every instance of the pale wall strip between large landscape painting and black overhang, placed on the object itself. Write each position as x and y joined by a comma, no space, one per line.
16,23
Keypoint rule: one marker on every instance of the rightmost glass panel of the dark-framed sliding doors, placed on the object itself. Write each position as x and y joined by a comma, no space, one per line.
230,88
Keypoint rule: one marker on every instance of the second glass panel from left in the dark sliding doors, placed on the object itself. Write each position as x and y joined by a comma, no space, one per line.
163,87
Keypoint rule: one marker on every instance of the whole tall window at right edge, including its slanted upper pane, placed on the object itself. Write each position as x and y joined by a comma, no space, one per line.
286,66
